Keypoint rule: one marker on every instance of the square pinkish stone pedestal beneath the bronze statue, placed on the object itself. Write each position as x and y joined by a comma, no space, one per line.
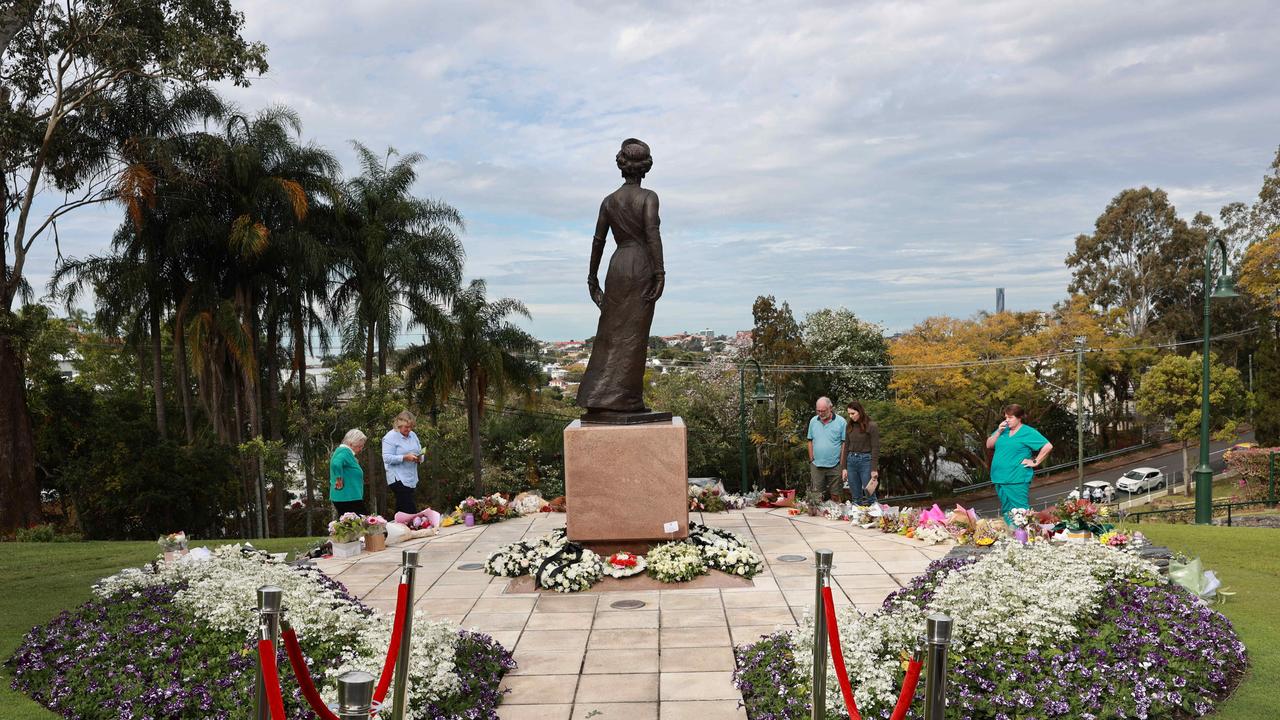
624,484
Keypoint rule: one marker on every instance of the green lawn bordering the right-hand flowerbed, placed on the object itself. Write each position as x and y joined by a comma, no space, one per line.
1247,560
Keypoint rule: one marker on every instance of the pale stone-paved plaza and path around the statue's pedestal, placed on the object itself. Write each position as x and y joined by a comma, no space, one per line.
671,659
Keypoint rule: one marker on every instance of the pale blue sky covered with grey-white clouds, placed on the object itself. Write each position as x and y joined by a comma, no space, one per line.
902,160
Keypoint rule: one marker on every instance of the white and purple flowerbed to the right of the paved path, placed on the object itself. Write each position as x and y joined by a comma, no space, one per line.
1044,631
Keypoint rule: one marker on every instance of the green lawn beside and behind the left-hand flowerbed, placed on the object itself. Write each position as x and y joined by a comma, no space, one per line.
42,580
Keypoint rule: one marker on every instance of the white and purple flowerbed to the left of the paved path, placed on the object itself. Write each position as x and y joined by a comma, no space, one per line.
177,641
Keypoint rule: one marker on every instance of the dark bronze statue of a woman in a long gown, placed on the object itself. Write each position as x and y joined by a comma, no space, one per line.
612,390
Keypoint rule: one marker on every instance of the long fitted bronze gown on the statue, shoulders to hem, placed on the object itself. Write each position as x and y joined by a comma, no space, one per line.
615,375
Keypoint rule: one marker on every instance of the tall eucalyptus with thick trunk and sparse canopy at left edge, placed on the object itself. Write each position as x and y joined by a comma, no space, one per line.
61,60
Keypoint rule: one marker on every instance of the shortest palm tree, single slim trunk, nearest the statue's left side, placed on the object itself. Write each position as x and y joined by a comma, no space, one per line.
473,348
